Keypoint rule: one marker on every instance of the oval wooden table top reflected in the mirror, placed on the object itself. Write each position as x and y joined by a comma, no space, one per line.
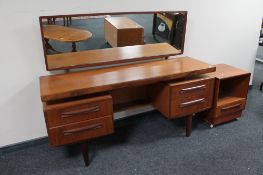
65,34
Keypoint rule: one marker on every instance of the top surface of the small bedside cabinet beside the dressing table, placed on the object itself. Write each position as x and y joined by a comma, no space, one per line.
224,71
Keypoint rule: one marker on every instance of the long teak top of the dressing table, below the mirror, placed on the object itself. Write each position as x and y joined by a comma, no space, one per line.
67,85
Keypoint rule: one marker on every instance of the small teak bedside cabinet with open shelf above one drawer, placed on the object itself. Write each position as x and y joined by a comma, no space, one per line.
231,88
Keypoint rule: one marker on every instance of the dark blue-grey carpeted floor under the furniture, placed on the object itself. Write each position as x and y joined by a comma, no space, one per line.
149,144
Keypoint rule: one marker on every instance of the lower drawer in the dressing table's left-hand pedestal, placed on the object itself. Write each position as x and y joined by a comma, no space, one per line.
81,131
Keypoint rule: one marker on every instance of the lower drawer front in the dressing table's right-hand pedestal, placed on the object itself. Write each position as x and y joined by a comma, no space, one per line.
187,106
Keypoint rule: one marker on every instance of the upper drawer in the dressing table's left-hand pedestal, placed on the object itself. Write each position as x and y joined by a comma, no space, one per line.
76,111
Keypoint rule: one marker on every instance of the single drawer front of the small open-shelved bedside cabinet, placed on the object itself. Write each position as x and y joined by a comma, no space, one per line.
230,108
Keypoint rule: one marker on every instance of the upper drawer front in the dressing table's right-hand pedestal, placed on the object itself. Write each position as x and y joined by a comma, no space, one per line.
191,89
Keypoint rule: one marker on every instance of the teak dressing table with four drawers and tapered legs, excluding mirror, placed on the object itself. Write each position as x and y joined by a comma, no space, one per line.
79,106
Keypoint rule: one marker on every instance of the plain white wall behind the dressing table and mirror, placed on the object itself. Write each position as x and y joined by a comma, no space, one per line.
218,32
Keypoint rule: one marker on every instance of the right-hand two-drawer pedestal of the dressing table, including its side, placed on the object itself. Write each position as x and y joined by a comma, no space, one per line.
184,97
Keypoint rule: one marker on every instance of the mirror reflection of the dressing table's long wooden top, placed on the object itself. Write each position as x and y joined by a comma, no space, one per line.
110,56
